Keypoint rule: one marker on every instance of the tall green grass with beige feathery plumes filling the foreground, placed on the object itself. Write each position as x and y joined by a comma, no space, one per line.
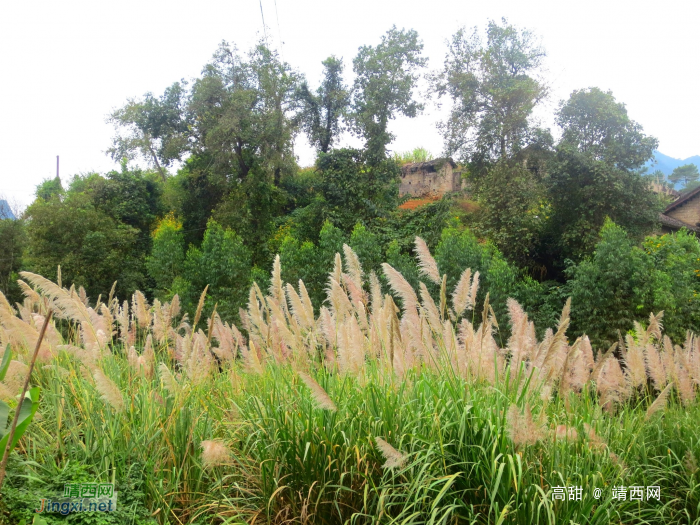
466,449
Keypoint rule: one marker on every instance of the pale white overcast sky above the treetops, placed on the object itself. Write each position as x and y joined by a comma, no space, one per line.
64,66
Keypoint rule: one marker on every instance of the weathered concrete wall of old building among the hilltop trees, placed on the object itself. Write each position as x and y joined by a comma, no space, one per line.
434,178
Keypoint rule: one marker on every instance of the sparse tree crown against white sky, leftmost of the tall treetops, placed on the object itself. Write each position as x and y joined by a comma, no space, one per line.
156,128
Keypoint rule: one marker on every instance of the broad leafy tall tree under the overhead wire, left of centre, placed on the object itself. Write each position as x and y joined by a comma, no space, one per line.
242,113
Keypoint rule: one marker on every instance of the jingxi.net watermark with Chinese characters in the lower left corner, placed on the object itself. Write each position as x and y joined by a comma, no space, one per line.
81,497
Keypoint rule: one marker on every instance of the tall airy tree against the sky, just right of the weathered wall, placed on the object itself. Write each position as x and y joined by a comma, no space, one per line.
493,89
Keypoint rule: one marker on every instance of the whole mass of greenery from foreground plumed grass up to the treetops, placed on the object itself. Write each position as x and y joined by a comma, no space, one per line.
240,339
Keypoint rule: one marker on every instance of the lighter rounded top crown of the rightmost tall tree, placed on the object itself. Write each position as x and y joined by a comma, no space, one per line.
598,126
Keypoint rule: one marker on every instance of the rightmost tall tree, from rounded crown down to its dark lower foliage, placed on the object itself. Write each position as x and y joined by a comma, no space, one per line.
594,175
